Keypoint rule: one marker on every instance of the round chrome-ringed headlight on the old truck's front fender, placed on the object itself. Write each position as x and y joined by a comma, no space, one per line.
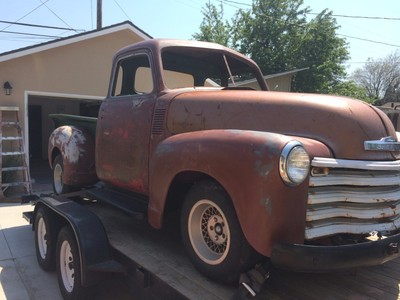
294,164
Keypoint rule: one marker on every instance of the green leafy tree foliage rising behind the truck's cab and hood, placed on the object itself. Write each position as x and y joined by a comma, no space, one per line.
277,35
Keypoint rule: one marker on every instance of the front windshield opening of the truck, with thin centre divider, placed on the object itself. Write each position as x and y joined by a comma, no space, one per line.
185,67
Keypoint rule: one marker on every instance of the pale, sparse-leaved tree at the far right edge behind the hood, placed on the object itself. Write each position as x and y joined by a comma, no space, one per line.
381,77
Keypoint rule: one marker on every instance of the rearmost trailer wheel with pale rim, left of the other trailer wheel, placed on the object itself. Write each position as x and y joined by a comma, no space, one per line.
45,240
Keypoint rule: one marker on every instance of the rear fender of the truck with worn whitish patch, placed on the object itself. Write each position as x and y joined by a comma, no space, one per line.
76,147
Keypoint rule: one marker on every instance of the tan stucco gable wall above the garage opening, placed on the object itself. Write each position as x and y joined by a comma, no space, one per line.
80,68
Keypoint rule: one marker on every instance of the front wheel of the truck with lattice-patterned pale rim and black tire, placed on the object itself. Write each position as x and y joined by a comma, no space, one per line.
212,235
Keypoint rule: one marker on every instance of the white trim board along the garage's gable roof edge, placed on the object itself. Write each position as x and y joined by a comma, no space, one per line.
71,40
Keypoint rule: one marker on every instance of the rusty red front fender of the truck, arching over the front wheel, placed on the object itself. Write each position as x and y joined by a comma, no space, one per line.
246,164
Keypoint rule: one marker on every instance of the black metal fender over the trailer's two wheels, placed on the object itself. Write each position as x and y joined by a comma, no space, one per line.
94,250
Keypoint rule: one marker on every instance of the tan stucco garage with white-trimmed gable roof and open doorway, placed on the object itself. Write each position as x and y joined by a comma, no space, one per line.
69,75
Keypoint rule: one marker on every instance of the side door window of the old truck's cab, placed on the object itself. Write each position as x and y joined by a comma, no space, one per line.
133,76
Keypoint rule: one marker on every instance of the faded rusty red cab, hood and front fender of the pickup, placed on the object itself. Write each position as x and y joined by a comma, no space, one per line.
145,141
